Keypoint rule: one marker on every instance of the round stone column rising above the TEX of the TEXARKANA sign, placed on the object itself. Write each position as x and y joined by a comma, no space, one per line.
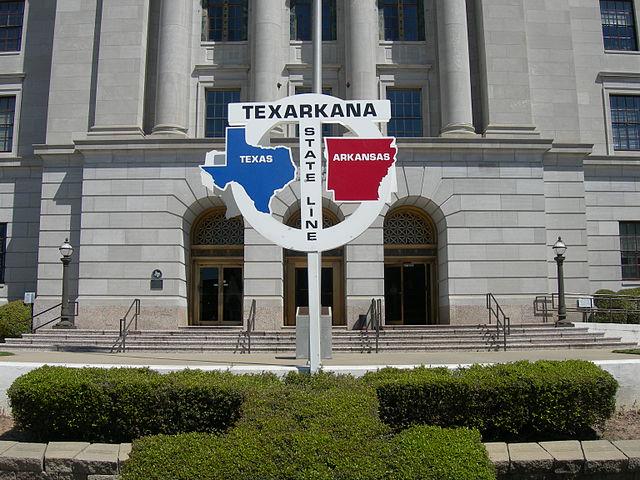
267,49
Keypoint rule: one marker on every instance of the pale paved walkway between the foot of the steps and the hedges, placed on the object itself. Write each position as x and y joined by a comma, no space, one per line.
342,359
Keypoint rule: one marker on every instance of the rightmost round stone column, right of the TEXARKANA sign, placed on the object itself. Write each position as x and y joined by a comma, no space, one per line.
454,67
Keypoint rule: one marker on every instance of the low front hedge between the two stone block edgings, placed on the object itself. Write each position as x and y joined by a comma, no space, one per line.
425,453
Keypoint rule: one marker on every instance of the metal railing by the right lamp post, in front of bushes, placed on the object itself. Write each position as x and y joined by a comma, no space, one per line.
595,308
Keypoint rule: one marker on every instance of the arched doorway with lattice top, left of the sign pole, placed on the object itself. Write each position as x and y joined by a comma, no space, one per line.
217,258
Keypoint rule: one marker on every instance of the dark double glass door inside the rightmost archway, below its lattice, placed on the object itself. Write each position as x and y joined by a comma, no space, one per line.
408,293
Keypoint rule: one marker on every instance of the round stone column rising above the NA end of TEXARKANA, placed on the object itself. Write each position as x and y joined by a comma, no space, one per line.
363,41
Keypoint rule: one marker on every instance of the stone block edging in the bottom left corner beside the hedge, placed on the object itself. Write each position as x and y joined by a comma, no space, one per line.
63,460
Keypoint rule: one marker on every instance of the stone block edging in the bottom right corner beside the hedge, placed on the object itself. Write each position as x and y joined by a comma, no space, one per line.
562,458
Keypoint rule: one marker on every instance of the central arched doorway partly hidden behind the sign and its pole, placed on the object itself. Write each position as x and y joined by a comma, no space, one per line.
296,280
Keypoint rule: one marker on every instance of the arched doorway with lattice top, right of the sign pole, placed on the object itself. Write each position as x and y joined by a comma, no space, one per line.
410,263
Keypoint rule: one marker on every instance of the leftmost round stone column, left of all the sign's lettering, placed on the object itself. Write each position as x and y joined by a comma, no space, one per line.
174,61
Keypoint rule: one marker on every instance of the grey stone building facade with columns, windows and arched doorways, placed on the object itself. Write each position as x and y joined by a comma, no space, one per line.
517,121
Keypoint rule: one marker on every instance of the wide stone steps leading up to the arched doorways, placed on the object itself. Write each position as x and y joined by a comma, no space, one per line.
392,339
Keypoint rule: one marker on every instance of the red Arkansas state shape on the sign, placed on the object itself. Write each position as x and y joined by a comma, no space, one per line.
356,166
